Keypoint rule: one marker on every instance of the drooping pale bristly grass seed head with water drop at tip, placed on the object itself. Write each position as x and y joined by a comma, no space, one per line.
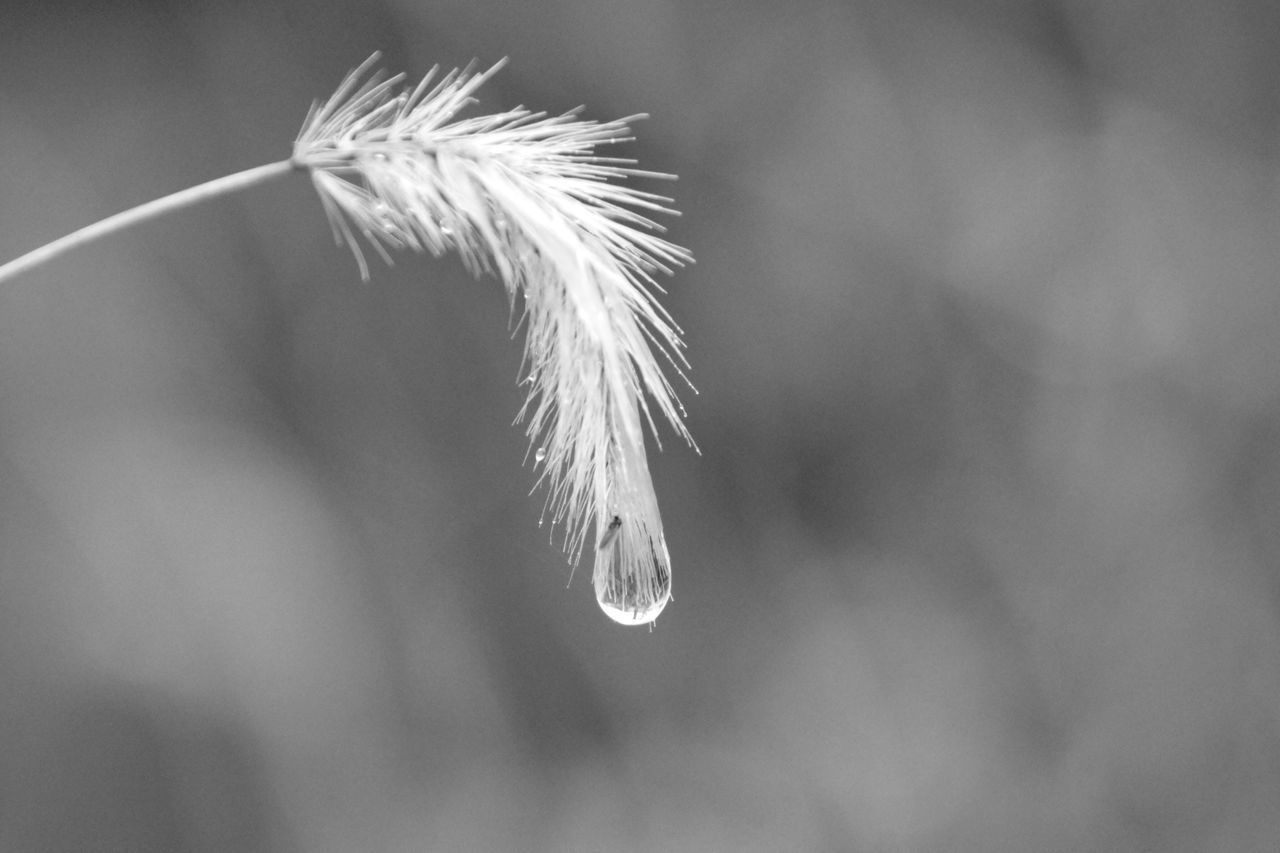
525,197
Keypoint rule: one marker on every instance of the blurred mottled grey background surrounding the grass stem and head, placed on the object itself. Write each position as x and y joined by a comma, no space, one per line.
981,553
